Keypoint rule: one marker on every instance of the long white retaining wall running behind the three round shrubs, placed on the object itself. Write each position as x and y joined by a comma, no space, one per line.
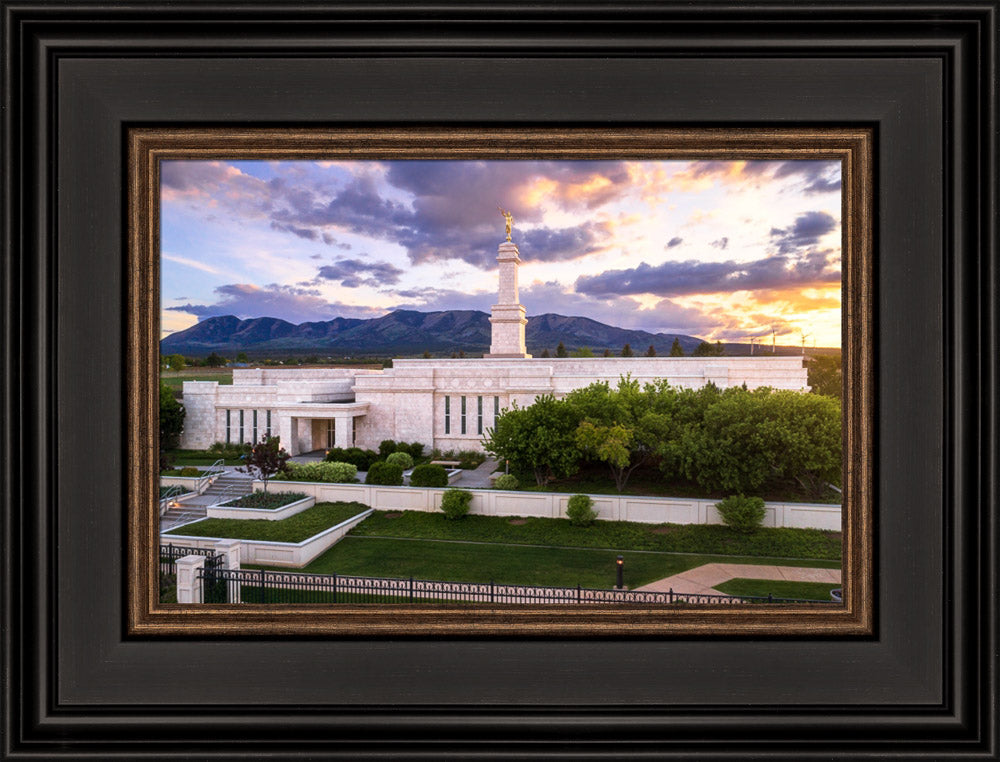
489,502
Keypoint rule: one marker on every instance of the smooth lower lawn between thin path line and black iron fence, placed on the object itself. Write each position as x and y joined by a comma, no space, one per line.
470,562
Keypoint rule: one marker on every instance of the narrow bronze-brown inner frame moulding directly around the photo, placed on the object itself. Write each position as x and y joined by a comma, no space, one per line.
148,146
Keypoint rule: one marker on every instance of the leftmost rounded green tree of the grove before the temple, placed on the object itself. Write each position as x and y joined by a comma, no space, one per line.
539,439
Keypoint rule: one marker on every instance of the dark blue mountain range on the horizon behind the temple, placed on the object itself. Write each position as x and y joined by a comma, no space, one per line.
405,332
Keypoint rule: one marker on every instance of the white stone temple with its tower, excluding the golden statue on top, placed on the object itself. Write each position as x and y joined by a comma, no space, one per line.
448,404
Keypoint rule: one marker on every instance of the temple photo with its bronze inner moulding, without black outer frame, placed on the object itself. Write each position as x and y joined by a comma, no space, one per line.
686,415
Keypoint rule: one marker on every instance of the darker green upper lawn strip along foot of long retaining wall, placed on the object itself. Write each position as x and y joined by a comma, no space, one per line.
675,538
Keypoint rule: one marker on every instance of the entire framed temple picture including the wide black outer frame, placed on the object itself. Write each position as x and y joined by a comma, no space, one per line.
116,120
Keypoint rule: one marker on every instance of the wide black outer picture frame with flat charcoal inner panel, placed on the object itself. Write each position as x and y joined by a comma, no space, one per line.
923,76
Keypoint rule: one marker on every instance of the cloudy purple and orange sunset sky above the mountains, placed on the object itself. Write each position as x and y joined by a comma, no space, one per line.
723,250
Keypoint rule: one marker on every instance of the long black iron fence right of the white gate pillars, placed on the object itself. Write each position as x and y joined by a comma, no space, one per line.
263,586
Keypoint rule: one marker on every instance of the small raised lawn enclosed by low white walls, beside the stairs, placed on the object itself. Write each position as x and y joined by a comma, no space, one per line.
295,528
